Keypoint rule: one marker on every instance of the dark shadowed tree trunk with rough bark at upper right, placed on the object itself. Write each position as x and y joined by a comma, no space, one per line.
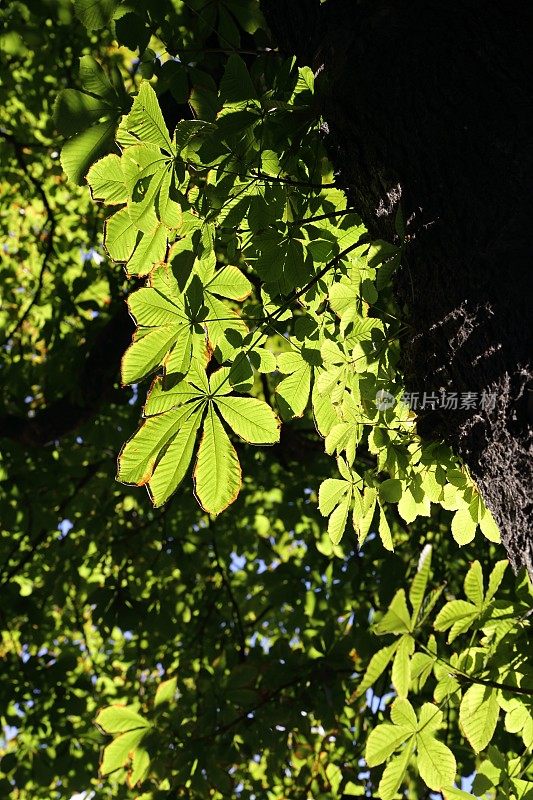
431,104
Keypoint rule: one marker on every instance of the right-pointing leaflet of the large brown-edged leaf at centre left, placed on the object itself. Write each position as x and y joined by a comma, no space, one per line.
253,420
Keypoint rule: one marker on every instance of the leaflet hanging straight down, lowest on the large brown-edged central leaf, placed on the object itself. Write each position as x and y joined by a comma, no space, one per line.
217,474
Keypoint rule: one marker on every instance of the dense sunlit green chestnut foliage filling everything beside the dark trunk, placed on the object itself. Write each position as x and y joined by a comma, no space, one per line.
325,635
